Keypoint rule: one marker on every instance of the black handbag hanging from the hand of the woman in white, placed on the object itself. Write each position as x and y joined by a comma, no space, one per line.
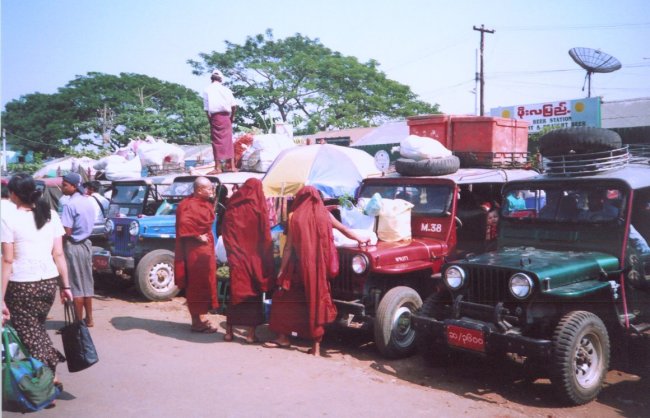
78,346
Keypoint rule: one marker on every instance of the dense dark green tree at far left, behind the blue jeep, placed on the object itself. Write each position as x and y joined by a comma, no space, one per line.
97,105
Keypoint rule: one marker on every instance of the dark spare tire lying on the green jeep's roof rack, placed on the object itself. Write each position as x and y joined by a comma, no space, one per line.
580,140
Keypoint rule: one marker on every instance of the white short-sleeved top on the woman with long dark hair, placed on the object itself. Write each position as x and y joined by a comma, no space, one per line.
32,247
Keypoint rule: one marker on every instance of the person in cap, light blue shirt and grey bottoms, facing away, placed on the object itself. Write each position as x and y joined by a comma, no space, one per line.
78,218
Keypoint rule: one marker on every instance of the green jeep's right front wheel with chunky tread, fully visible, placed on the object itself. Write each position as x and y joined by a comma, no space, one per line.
580,357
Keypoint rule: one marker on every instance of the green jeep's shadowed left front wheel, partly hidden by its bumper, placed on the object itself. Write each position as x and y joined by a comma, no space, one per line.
434,353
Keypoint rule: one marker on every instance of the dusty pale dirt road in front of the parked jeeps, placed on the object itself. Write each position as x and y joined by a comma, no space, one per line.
151,365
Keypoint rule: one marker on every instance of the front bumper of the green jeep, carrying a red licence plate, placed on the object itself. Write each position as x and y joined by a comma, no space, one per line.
493,341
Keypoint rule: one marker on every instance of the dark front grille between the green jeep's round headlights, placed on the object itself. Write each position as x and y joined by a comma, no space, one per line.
487,286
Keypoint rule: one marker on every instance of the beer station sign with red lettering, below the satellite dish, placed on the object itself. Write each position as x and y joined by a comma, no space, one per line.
554,115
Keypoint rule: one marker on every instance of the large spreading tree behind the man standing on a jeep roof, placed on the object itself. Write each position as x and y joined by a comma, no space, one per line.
308,85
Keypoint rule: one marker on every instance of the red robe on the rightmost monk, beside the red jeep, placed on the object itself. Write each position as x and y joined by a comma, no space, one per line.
307,304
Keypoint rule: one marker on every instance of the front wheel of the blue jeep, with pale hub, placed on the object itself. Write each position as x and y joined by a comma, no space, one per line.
154,276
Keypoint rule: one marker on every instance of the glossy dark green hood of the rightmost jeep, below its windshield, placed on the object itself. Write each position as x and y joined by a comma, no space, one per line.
561,267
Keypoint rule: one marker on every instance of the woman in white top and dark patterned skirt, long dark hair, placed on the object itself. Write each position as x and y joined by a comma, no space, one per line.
33,266
